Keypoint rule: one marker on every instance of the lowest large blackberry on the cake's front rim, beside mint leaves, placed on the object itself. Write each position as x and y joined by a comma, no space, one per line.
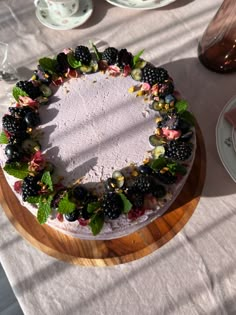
112,205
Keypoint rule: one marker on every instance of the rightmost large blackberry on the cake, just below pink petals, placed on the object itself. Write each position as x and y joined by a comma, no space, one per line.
178,150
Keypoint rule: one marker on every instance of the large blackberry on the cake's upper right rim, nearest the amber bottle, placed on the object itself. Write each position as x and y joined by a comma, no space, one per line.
153,75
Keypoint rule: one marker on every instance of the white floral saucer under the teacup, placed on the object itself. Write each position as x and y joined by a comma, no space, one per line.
77,19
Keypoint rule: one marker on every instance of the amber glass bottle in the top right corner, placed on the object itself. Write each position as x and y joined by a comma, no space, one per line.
217,48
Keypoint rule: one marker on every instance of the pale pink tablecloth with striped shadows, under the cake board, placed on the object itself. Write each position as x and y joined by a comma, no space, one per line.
195,272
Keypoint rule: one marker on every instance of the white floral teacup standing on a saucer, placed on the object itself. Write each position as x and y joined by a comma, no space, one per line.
58,8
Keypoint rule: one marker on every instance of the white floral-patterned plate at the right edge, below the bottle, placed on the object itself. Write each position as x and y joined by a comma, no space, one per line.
224,140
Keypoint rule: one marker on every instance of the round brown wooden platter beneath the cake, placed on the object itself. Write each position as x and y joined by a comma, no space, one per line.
110,252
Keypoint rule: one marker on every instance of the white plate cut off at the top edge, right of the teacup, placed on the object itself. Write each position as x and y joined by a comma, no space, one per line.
140,4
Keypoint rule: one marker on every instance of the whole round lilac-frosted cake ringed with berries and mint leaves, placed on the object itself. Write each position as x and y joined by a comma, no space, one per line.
97,144
